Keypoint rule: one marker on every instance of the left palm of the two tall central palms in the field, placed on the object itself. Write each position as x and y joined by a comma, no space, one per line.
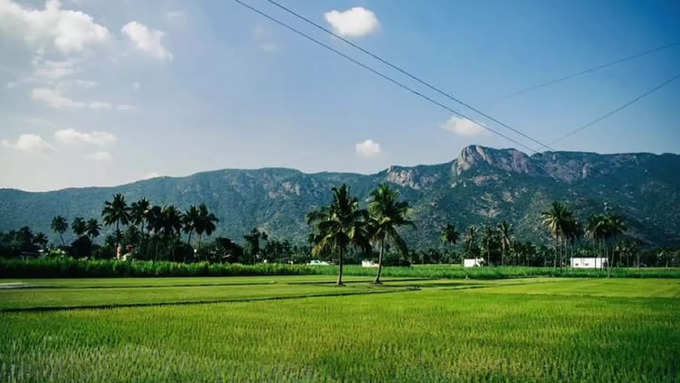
340,225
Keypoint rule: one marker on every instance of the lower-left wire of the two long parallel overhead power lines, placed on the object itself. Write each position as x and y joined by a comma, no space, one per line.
380,74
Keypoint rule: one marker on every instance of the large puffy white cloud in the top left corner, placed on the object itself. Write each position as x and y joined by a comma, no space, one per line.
66,30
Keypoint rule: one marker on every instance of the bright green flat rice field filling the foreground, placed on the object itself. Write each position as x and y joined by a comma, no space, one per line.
302,328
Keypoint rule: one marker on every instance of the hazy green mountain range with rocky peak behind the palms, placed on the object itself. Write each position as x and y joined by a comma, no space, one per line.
481,186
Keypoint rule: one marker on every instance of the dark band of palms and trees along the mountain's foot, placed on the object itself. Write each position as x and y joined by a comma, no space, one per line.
343,231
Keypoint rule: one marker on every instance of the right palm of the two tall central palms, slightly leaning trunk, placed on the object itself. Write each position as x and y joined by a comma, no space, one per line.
386,215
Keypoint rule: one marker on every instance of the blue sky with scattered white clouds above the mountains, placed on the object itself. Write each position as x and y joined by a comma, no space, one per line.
102,93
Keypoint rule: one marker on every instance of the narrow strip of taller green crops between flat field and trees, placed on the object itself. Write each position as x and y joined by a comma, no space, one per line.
74,268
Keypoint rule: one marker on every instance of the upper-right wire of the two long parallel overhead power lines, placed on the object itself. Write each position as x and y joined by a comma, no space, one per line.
406,73
